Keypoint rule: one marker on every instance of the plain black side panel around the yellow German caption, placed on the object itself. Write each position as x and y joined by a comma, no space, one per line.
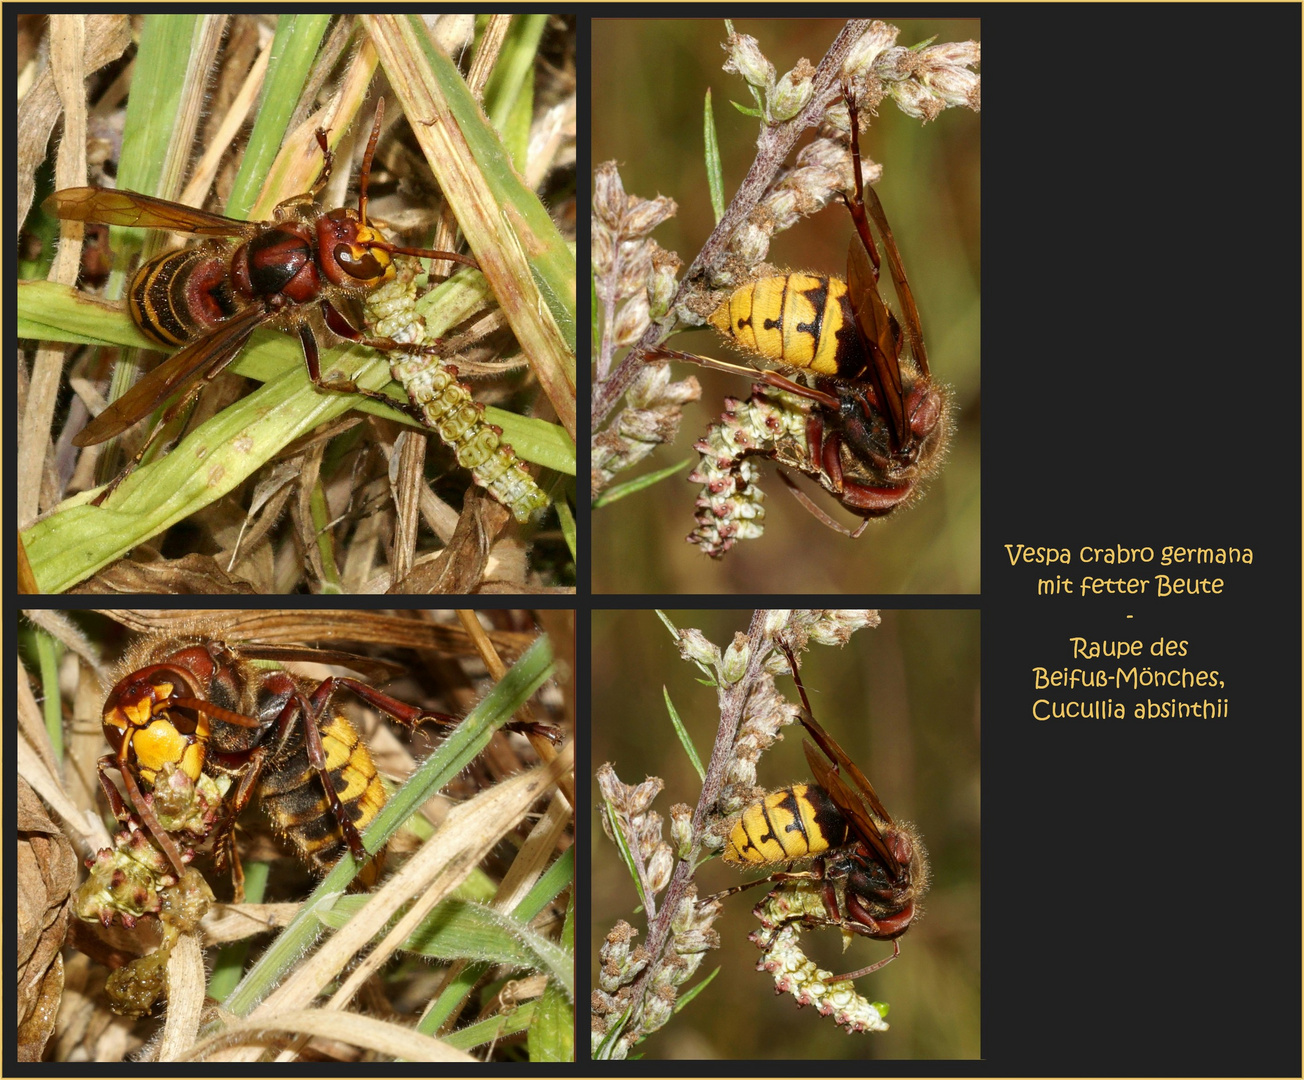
1142,310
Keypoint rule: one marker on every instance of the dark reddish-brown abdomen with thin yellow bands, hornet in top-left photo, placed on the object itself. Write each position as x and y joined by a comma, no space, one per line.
178,295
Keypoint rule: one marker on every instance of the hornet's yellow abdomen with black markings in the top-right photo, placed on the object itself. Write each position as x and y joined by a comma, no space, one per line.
800,320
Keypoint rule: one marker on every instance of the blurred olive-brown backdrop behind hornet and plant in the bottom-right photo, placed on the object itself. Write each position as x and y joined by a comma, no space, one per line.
903,701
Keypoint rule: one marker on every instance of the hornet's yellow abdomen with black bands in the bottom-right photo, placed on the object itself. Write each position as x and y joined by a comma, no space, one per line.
792,824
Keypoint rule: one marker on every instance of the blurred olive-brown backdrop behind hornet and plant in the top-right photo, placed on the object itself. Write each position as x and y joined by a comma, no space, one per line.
650,80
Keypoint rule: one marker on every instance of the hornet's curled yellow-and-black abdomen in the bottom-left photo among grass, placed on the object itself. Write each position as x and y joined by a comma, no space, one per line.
294,799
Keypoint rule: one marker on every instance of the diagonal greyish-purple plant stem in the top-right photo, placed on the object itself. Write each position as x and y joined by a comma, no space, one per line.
774,147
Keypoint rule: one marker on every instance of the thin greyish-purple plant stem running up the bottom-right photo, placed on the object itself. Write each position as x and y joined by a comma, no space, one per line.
733,701
